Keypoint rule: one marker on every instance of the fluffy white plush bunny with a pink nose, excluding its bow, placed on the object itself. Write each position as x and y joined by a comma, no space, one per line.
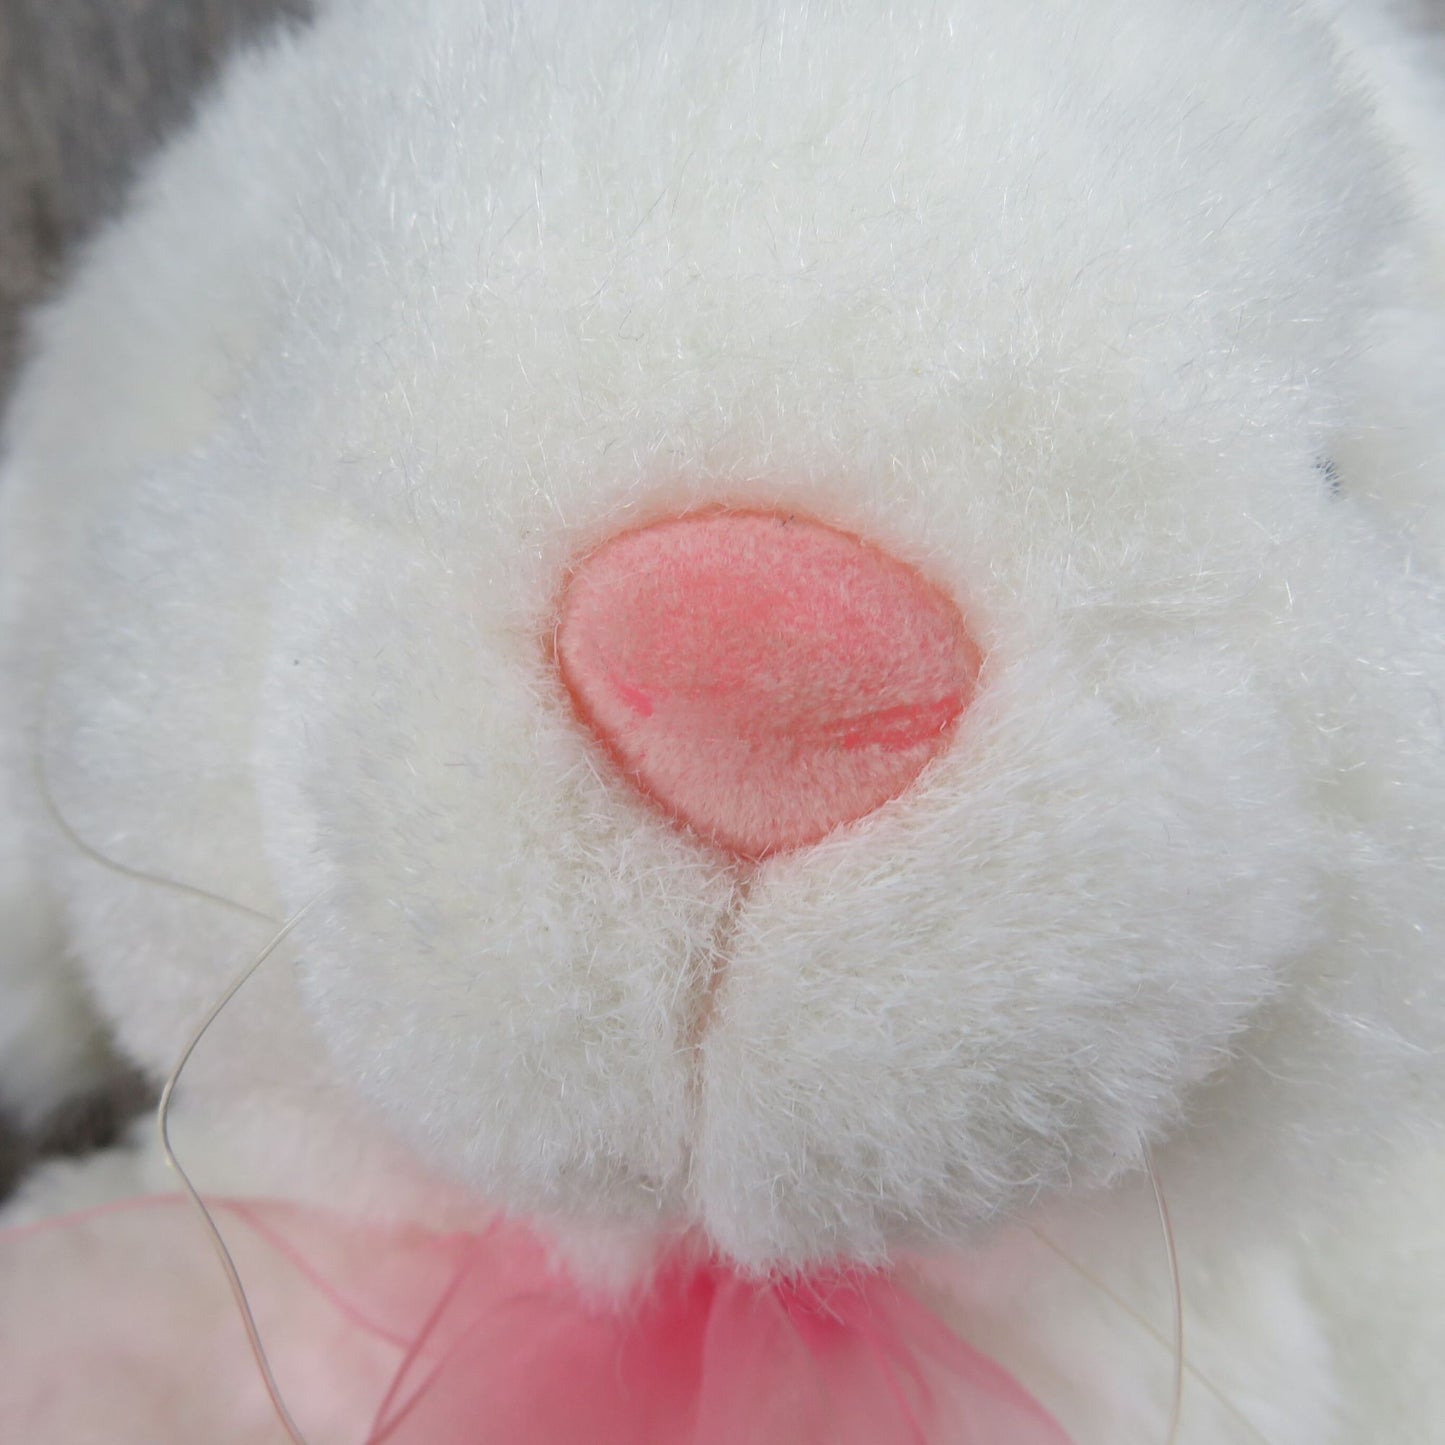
834,615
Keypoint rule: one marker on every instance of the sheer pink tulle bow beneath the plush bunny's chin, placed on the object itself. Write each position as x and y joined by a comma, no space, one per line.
118,1323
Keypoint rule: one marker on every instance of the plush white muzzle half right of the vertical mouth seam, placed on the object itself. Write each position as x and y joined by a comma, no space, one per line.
998,986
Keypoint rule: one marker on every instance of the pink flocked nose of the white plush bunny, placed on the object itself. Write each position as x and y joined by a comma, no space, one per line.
764,678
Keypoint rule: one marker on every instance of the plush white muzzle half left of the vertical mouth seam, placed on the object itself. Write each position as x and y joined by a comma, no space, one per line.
505,949
